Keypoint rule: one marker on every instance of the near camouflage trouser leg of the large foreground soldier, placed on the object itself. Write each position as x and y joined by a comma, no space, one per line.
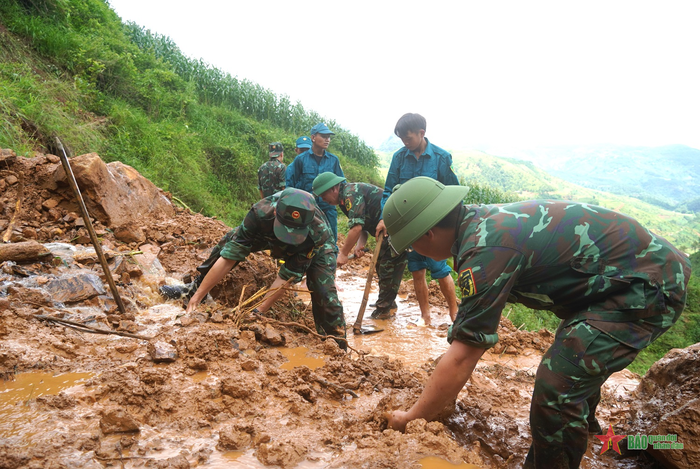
567,389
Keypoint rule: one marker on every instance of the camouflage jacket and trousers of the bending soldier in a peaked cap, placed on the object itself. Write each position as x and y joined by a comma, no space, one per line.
315,257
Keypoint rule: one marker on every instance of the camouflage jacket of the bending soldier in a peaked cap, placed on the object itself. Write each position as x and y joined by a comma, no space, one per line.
256,233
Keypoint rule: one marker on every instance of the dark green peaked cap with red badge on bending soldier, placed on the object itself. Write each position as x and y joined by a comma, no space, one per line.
294,212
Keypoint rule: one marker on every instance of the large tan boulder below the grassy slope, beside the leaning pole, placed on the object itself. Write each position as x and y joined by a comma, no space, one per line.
115,193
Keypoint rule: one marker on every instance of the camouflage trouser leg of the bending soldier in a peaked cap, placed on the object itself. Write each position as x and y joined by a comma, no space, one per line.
325,304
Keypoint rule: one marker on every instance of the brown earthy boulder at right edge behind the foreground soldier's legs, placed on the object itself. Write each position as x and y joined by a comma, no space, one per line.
668,403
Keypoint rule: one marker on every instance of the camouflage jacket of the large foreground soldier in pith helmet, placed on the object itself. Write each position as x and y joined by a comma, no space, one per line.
576,260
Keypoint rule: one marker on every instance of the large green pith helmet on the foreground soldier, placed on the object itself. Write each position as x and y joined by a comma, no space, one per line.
416,206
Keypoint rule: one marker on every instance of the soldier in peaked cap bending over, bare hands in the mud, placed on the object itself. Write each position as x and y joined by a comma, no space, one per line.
293,228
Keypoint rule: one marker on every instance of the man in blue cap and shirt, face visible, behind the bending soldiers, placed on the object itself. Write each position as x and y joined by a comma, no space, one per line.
314,161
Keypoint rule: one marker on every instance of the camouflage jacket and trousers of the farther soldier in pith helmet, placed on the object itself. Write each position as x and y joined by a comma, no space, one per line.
361,203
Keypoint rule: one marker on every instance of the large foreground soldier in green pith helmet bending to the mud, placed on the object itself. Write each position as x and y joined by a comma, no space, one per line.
616,286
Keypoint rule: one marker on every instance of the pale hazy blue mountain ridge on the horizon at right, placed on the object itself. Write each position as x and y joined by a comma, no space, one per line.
667,176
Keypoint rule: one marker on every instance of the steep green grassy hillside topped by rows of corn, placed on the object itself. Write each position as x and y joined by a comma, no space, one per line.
71,69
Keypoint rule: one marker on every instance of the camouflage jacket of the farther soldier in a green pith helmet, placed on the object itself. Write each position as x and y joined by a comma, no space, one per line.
362,204
